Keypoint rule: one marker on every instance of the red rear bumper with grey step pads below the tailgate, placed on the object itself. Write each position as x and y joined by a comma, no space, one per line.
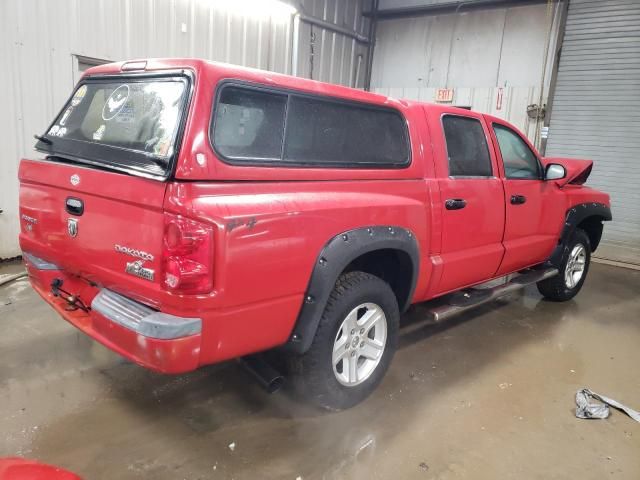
157,341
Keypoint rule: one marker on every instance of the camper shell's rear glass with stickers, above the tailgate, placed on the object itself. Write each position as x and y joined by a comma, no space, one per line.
125,123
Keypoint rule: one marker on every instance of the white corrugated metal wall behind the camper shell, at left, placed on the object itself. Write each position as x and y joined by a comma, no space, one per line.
39,38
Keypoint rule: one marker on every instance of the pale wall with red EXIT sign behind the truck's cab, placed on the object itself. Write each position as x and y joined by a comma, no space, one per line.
475,53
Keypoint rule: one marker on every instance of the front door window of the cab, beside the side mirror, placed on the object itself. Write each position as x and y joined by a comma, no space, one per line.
519,161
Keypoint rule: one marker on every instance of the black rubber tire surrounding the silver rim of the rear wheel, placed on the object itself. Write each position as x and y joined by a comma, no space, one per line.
314,371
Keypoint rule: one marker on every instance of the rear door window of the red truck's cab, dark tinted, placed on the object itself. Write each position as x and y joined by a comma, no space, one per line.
467,148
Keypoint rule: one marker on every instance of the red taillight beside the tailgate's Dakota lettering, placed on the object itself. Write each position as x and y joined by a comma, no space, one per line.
187,255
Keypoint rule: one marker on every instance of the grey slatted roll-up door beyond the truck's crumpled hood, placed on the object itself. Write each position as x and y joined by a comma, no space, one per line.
595,111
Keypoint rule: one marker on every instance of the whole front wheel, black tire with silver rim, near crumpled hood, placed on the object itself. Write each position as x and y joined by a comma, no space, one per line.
573,270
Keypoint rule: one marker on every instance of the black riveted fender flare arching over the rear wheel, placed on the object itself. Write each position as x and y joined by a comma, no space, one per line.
336,255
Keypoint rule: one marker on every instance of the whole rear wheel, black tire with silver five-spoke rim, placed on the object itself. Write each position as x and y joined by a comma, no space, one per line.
354,343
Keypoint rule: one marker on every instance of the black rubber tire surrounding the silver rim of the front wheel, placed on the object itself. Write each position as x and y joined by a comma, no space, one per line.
556,288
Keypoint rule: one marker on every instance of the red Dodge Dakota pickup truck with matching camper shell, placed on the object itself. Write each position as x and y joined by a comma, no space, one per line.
189,212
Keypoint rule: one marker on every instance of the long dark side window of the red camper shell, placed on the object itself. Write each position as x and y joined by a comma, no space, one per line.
262,126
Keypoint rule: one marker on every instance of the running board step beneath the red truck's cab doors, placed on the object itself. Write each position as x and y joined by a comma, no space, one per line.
473,297
